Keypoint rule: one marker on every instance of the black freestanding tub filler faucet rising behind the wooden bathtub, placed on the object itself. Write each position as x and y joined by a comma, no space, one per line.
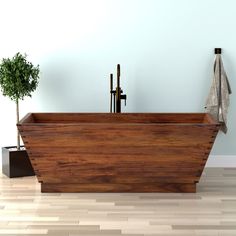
116,95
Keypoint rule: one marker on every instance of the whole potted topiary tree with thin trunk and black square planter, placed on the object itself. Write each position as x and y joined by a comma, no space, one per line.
18,79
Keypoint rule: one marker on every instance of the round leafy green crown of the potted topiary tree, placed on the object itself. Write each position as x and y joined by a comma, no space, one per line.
18,77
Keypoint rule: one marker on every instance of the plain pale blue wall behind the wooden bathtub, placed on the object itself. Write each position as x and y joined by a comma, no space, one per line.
165,48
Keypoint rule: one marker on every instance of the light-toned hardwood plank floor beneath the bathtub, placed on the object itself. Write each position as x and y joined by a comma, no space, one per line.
211,211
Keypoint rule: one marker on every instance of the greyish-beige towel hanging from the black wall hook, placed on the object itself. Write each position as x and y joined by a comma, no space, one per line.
218,99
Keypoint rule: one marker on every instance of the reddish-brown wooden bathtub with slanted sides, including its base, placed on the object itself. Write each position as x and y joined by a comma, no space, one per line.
128,152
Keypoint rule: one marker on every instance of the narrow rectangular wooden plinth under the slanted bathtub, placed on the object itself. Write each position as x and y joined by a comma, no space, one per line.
115,188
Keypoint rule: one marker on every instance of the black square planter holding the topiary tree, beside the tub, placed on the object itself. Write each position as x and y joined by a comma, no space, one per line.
16,163
